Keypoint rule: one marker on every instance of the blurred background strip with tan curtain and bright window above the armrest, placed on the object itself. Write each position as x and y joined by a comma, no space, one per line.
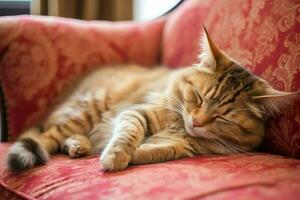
113,10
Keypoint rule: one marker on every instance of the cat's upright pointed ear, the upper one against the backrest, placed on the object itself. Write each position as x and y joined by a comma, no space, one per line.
211,56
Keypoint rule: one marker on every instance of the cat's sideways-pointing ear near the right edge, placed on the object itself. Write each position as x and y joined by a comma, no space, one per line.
274,101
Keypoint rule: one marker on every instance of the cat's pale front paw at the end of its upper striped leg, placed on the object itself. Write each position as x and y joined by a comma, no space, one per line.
115,160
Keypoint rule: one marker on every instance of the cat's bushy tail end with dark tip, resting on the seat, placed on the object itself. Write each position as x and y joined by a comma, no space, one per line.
26,152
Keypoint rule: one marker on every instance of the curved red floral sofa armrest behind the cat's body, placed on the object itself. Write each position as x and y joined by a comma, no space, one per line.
41,55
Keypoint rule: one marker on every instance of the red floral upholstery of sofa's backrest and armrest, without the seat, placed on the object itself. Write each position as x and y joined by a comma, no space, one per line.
264,35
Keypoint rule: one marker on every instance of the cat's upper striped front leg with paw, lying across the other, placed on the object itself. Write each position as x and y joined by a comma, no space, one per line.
128,134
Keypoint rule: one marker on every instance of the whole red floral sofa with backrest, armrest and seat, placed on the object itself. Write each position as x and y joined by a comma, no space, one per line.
41,56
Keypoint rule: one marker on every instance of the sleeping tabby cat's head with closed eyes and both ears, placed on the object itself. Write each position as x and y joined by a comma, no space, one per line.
224,102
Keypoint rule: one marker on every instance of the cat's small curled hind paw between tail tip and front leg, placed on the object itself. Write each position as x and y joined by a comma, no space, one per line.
76,146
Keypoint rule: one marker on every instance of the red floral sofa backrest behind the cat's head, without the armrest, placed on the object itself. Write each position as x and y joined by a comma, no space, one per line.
263,35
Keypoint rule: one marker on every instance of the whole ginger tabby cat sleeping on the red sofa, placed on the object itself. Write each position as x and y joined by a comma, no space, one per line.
135,115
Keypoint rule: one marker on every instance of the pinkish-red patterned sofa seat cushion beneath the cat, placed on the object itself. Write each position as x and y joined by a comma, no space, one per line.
245,176
